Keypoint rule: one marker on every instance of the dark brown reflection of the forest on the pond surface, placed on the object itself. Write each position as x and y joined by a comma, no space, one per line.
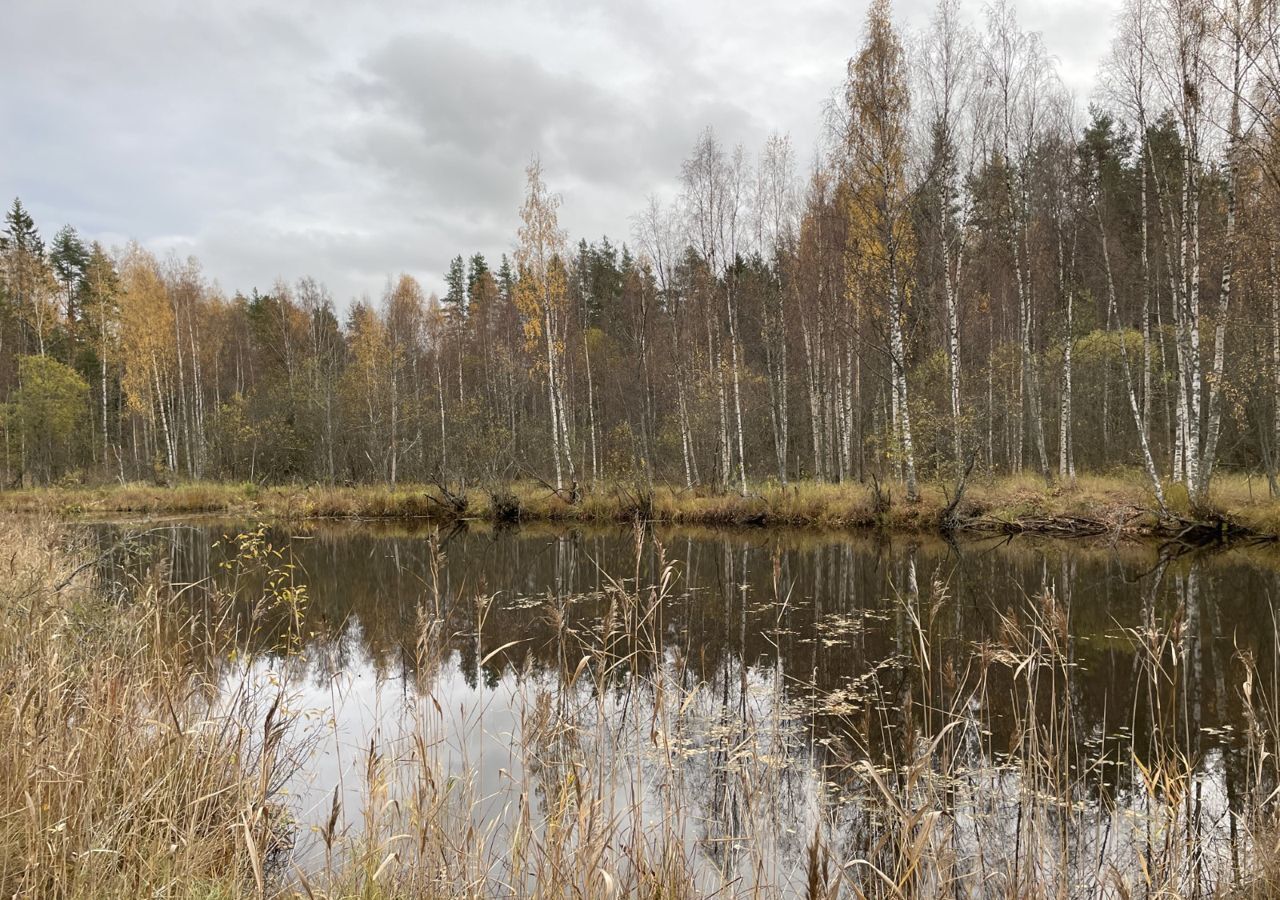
772,632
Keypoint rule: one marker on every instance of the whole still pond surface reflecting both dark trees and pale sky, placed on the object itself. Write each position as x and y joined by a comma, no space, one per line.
806,666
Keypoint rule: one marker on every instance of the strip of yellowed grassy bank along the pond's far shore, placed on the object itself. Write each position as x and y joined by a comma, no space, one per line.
1092,505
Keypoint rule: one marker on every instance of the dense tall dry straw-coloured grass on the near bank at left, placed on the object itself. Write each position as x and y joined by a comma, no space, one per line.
122,775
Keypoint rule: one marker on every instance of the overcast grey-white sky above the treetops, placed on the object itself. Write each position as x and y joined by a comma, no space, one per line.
356,141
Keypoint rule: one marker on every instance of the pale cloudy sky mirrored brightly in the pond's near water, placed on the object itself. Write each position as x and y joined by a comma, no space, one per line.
728,769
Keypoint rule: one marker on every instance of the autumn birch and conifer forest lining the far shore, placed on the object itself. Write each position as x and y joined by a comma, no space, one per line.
967,273
